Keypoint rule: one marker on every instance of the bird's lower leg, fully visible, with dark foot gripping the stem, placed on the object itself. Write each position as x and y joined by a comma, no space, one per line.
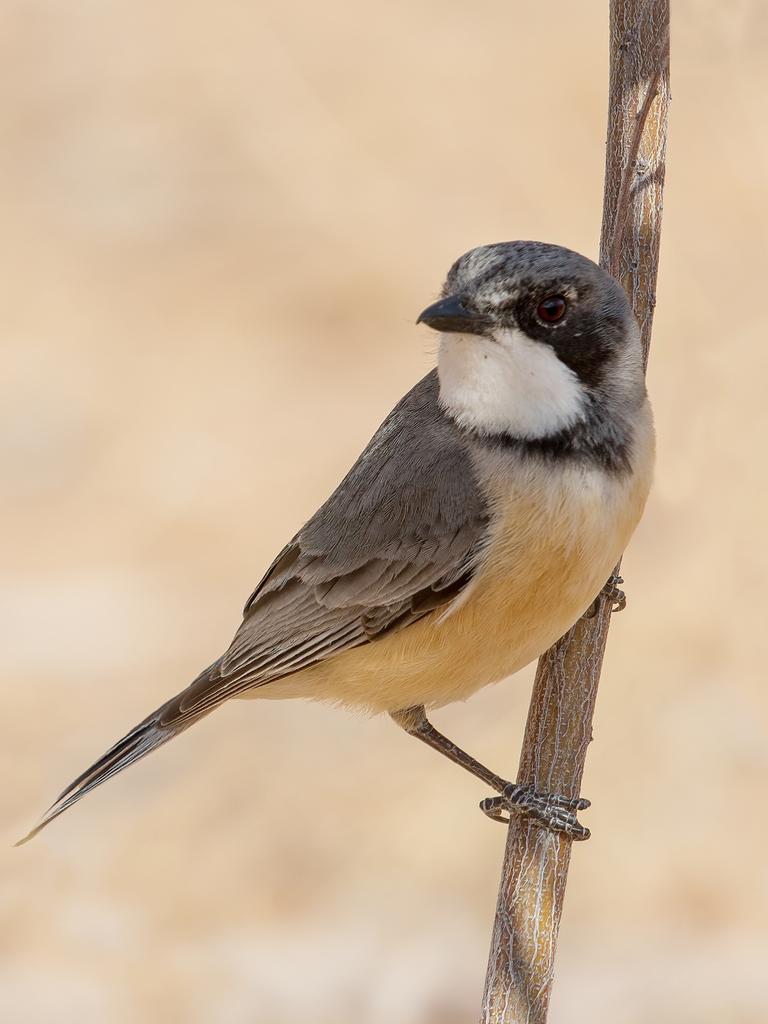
551,810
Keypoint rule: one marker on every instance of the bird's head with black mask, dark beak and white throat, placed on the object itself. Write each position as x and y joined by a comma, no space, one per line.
533,335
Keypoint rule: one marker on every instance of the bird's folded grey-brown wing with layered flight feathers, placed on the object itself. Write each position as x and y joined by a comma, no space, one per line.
400,537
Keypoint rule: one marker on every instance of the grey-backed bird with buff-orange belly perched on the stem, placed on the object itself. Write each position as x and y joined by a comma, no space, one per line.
482,521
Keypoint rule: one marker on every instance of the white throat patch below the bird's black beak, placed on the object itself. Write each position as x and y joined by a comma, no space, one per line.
509,385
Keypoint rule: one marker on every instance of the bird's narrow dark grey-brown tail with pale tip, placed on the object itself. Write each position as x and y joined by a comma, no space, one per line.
165,723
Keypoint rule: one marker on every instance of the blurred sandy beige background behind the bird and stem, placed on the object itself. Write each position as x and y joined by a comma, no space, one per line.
219,225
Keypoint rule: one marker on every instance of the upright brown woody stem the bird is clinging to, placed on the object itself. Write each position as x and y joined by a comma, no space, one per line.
560,724
